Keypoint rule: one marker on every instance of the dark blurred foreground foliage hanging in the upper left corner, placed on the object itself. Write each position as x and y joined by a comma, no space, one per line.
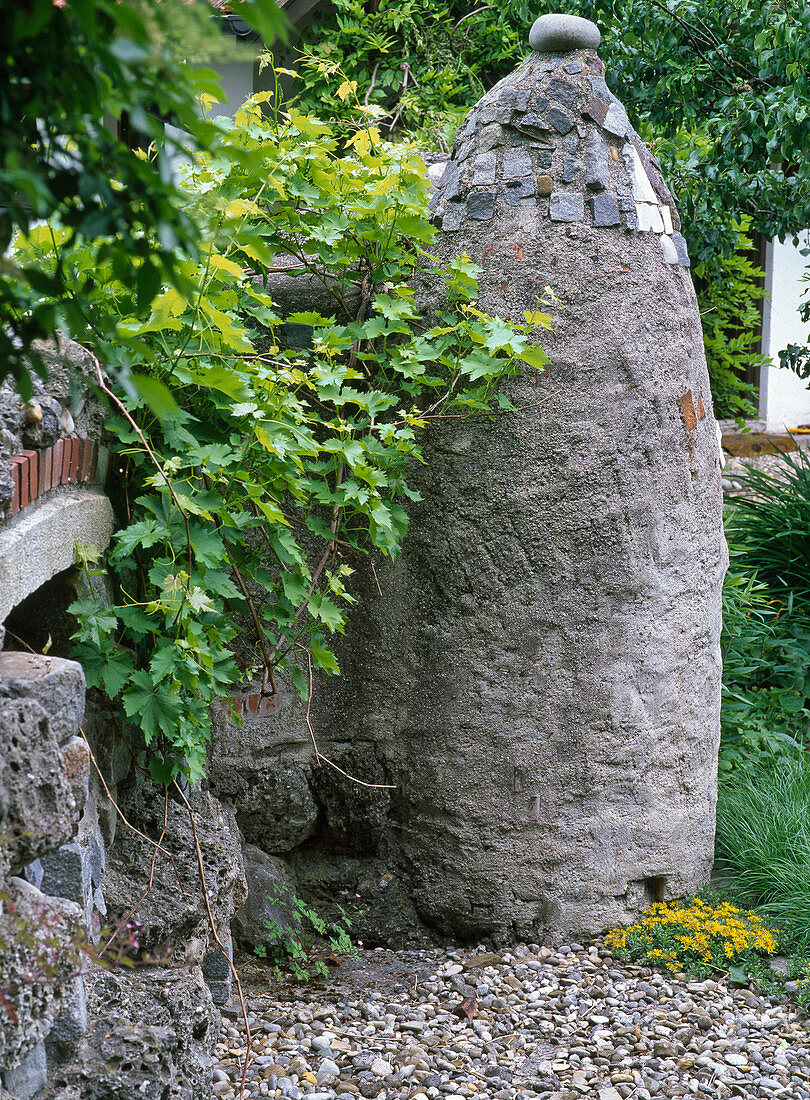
71,73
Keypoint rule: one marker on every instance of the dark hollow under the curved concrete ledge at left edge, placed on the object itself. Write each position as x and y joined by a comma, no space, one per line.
41,623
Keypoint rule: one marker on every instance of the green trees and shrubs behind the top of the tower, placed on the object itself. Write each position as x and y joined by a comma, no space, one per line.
719,91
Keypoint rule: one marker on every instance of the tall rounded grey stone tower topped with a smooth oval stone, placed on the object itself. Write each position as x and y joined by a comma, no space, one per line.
541,676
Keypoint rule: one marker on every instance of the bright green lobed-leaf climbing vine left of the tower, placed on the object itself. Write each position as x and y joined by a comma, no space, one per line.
262,457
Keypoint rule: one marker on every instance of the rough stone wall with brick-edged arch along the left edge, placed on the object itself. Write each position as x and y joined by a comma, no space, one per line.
72,871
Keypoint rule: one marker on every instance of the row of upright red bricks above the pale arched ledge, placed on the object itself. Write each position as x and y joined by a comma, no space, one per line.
69,463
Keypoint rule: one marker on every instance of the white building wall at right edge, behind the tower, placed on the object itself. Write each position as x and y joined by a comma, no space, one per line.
785,399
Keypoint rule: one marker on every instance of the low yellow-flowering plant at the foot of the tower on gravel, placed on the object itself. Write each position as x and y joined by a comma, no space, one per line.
697,938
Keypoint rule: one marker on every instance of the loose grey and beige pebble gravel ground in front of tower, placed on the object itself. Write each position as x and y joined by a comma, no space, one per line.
552,1025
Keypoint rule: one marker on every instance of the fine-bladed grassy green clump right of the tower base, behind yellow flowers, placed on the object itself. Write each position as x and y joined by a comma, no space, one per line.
763,841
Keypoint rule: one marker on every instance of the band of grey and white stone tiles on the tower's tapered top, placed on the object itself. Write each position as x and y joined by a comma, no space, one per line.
553,137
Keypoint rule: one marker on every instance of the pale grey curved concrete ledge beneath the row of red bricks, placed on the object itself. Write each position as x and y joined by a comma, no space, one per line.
39,543
